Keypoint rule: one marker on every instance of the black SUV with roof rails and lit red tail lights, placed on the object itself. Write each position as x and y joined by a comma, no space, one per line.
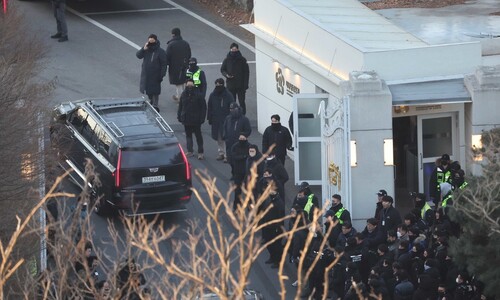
141,165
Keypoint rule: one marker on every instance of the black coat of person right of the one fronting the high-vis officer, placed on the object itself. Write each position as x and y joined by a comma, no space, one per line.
218,110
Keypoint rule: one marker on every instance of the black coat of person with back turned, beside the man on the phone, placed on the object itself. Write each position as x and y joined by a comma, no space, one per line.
178,54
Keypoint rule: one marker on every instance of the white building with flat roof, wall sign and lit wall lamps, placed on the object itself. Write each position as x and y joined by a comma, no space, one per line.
392,102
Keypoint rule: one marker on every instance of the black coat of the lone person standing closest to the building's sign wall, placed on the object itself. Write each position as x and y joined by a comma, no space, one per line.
235,69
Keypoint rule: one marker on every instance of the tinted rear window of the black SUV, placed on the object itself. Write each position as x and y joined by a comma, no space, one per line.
151,156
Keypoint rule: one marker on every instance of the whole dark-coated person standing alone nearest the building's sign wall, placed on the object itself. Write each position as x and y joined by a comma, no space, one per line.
235,69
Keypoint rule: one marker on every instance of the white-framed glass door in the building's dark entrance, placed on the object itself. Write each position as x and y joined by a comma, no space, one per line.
436,136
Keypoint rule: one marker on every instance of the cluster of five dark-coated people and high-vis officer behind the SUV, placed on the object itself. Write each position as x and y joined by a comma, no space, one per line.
226,117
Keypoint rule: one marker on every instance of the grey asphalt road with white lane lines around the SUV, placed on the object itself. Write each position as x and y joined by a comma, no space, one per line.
99,60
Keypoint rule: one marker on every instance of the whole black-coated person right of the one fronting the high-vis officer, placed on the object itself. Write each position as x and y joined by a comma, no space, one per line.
217,111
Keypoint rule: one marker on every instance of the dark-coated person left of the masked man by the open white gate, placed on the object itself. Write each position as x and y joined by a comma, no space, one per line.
235,124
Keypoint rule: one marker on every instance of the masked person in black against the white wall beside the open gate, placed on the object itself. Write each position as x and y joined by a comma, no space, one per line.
279,136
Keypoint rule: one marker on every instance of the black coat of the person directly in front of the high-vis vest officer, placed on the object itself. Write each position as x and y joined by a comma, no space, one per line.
192,108
